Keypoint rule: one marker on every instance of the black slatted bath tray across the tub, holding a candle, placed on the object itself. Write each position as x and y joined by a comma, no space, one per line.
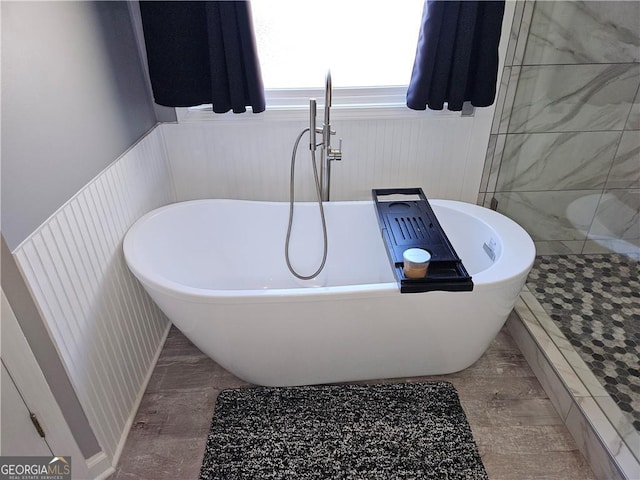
407,220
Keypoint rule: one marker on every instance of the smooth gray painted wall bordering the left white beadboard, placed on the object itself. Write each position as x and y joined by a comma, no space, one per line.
74,98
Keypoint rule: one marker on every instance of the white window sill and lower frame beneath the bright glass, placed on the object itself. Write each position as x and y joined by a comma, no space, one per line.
348,104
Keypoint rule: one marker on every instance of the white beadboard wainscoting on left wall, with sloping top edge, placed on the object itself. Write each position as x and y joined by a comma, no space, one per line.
105,327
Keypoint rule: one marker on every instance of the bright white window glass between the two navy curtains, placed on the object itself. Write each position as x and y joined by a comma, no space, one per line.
365,43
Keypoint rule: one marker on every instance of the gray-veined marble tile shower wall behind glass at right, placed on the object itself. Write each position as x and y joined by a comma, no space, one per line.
564,151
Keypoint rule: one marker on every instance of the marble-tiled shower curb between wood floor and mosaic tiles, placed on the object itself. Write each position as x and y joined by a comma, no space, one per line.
604,435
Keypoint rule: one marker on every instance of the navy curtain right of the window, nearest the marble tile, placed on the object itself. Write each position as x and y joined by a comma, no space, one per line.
457,55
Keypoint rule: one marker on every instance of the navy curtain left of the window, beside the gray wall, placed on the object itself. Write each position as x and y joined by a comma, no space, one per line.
203,52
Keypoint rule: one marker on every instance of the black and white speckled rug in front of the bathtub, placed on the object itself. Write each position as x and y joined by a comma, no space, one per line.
386,432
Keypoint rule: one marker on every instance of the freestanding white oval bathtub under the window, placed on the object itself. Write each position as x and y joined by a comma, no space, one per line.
217,270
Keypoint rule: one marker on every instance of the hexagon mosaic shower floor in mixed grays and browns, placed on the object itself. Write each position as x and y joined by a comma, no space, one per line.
595,301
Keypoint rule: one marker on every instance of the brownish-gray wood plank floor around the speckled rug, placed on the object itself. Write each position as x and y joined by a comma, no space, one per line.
518,432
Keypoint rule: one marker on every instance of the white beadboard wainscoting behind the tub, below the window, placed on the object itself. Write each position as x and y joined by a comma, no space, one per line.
248,158
